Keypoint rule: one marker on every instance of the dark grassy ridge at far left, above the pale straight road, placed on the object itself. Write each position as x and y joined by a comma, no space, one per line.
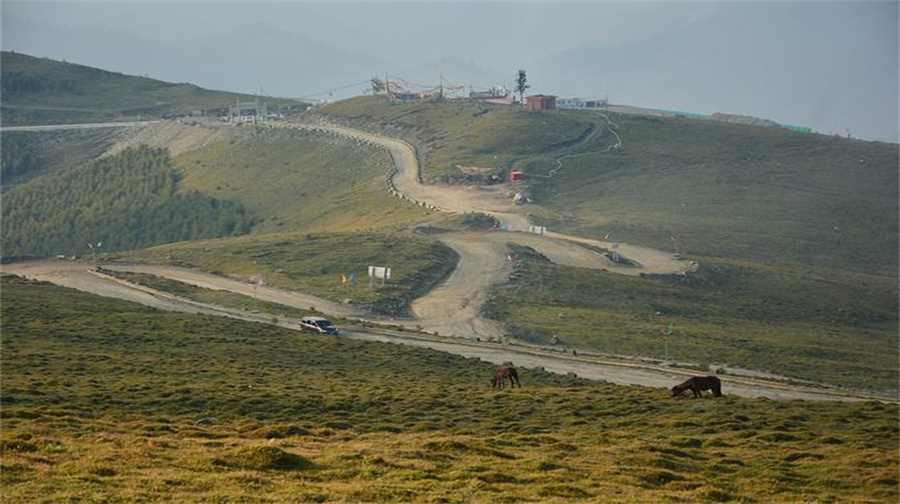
45,91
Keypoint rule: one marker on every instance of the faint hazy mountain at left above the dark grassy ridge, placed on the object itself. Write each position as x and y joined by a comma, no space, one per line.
255,58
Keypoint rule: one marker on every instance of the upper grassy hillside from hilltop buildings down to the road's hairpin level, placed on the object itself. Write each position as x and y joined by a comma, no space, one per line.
740,191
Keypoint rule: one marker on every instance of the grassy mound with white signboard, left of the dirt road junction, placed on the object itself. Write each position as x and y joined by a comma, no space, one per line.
315,263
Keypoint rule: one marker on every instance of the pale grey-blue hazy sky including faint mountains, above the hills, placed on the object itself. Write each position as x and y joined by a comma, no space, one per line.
832,66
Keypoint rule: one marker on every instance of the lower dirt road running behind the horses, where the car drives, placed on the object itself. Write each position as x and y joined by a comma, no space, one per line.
79,275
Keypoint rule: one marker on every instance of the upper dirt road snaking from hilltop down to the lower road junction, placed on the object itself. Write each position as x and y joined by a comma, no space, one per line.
454,307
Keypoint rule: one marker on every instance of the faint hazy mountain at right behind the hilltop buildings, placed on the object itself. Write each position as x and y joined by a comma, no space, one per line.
804,66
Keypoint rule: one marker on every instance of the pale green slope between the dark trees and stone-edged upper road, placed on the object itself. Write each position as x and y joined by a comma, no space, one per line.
300,181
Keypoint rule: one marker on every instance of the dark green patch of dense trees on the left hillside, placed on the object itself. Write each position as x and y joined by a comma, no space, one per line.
127,201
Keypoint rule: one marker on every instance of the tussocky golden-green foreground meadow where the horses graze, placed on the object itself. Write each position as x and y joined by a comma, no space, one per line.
107,401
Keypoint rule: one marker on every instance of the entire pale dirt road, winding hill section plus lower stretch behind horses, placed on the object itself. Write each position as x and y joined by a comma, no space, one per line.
452,308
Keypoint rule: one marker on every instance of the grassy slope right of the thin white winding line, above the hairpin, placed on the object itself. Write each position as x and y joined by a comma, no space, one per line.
759,194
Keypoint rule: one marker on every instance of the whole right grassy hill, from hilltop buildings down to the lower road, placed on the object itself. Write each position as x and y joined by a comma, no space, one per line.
797,233
